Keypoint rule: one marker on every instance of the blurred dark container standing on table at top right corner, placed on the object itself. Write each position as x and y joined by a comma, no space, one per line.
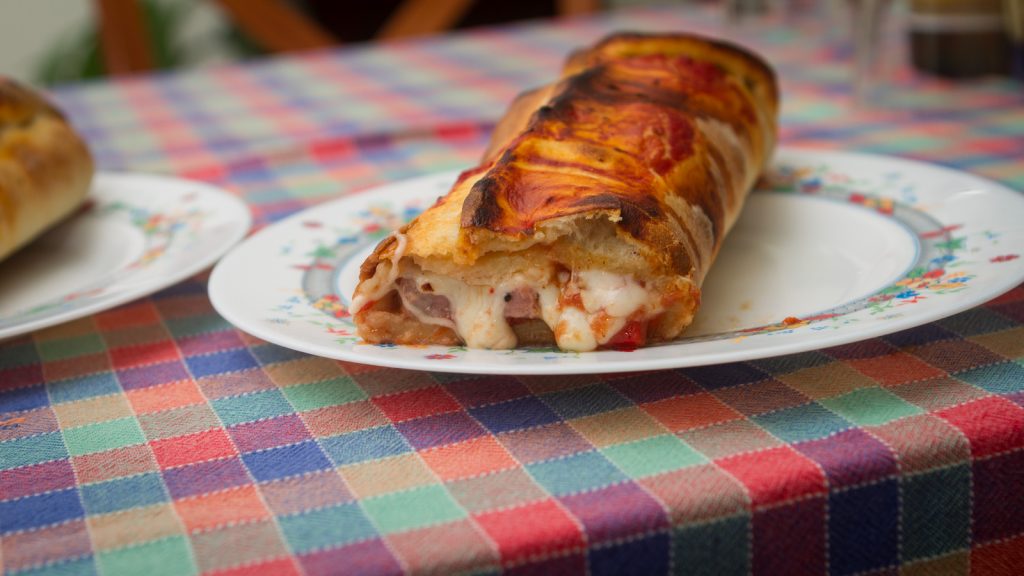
959,38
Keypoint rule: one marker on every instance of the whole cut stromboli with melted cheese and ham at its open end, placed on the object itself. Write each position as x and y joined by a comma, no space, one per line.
596,213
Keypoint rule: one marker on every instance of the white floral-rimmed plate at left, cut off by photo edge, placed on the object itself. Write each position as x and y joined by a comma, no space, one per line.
137,234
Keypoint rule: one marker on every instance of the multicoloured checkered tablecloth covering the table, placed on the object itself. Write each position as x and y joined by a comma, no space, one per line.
156,439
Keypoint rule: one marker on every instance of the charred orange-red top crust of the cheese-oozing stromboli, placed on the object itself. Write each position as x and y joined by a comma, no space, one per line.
625,136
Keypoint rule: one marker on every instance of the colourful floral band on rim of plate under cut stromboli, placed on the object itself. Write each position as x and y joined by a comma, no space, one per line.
943,266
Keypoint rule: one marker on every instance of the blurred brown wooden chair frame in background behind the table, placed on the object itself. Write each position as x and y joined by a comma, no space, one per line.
278,27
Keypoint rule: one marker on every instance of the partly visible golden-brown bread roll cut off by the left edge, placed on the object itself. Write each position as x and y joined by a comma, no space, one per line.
46,168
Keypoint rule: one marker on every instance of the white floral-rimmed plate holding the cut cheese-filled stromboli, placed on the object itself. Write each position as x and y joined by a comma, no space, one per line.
834,249
